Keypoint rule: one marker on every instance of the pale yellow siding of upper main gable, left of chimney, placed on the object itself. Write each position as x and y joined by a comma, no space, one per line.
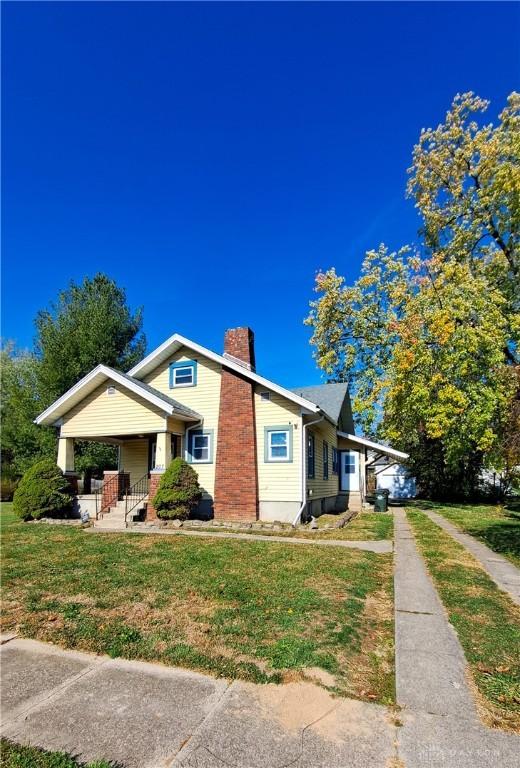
204,398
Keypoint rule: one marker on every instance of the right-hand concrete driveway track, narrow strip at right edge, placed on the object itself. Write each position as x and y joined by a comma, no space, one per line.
504,573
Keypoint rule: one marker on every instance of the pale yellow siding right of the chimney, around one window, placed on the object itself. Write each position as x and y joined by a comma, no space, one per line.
277,481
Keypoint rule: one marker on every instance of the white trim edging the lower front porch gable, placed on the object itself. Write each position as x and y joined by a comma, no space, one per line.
89,383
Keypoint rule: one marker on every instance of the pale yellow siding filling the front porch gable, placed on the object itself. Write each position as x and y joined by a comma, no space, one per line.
122,413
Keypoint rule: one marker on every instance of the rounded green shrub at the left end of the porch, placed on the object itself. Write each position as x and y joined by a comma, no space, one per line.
42,492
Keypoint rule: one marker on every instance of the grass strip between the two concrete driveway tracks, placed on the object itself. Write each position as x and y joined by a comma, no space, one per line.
486,621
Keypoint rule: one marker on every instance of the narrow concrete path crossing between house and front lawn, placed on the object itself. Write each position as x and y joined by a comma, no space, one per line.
381,546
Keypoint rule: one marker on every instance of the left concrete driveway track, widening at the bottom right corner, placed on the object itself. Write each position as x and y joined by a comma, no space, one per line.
441,727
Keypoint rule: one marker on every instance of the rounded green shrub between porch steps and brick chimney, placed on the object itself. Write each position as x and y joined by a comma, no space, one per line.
178,492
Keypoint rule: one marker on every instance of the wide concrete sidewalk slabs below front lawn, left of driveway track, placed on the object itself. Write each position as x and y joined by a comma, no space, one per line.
148,716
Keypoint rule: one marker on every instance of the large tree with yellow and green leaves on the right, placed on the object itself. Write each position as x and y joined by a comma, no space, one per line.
428,336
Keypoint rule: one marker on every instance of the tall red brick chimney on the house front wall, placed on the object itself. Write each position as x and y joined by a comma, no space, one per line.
236,481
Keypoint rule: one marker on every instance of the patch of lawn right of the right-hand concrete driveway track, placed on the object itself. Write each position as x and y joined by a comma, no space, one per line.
497,526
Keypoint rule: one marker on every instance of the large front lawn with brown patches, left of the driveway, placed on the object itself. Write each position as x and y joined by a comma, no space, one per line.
260,611
